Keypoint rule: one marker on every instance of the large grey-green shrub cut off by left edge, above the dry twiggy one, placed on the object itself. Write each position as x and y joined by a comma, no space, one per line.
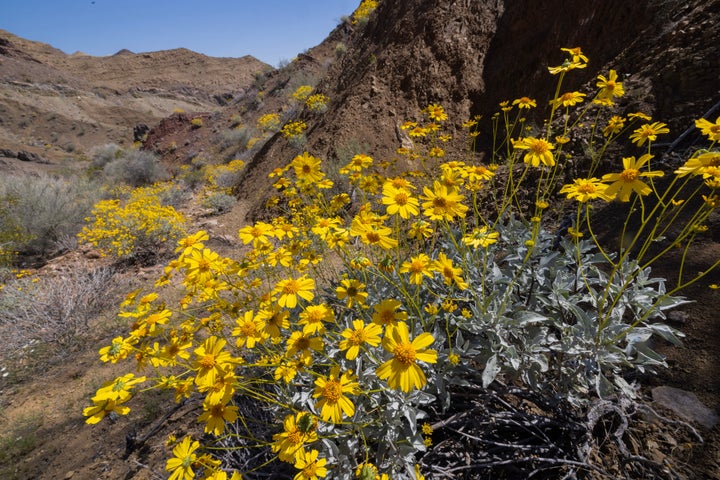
38,210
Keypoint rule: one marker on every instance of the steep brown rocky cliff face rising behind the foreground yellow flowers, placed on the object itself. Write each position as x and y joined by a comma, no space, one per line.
469,55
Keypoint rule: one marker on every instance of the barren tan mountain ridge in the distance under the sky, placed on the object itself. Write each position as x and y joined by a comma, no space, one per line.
56,104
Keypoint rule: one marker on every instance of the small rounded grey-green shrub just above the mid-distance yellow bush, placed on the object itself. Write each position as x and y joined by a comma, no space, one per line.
135,168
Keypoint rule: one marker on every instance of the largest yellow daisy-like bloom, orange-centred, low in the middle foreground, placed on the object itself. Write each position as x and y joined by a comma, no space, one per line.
402,371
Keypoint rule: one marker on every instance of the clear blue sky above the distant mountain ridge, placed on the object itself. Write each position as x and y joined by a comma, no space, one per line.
270,30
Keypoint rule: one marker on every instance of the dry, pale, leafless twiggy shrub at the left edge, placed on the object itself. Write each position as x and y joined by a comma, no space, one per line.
51,313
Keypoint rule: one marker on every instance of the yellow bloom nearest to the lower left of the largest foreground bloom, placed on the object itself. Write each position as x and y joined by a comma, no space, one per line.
331,392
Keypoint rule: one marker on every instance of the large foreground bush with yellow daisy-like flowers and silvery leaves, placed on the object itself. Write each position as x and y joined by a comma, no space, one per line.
364,330
